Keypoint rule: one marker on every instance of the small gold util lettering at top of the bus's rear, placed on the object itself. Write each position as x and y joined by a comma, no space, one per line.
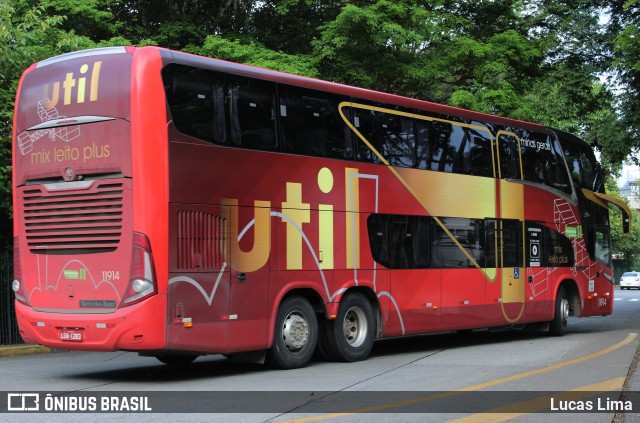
73,84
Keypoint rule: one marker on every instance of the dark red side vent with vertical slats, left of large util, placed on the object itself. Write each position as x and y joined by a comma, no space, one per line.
200,240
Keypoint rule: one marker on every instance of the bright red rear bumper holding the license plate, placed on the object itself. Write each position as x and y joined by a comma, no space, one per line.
136,328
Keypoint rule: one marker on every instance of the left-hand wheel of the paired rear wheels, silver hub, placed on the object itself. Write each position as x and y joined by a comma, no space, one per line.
295,336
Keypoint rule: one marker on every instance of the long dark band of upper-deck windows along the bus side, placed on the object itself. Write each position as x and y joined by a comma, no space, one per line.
252,113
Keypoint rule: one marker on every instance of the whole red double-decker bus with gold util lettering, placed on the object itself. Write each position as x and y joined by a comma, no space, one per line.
177,206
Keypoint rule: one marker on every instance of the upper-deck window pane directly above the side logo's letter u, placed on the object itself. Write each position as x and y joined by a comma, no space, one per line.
252,114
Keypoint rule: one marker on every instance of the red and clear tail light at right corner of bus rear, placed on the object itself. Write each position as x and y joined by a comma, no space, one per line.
142,282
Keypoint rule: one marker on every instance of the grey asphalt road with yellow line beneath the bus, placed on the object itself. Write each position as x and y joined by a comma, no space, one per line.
463,377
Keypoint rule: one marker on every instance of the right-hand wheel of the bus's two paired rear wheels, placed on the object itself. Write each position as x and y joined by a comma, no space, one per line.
350,336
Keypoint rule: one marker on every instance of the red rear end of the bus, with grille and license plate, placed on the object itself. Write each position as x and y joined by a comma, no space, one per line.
85,275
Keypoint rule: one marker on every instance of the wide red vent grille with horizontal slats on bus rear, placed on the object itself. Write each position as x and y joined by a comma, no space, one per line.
81,222
